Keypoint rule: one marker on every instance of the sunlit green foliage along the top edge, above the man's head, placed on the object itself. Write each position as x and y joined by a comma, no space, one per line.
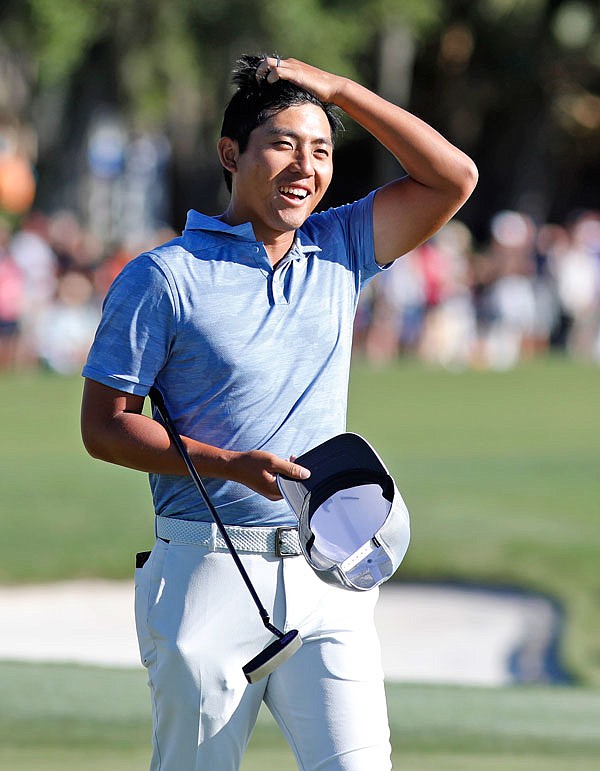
157,46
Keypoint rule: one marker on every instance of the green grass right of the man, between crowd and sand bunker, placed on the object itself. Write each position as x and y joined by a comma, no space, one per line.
500,473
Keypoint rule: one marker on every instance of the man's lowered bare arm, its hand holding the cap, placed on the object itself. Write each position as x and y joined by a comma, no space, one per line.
114,429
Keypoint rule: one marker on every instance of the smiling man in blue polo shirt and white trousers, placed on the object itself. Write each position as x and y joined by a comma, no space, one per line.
245,324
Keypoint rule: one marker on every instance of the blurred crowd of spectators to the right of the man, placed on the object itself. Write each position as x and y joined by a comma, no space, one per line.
455,304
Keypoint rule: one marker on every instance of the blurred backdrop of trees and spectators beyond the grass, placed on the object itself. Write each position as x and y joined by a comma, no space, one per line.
110,112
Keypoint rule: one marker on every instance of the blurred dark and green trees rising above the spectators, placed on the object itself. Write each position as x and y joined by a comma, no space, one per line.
513,82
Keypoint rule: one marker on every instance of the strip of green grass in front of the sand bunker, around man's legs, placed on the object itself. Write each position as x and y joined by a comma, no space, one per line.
90,719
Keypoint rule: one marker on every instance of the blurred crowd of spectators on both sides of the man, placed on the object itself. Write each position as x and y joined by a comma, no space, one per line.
450,302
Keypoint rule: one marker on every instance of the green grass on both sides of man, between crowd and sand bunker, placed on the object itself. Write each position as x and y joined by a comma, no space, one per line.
499,470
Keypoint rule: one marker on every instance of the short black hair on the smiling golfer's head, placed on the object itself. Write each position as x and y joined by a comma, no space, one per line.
255,101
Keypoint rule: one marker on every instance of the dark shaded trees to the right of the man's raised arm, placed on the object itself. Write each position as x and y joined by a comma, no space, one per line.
515,82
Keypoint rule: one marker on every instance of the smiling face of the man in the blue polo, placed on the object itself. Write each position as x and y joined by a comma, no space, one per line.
284,171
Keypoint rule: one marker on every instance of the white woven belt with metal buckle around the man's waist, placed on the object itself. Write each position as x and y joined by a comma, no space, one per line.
280,541
